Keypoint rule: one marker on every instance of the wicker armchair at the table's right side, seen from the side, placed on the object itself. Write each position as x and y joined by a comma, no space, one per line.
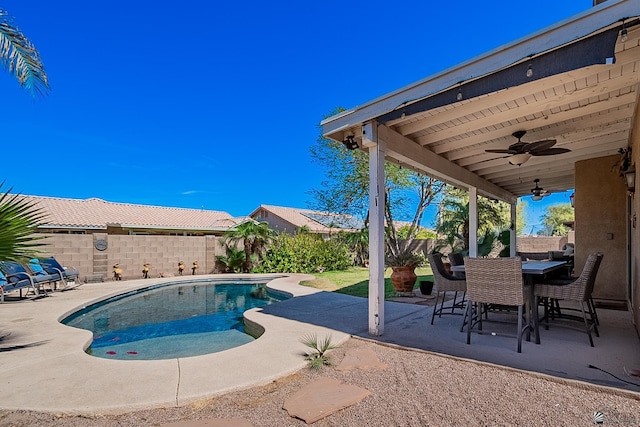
576,289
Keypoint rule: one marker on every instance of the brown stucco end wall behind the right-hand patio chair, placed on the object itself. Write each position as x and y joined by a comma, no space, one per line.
601,224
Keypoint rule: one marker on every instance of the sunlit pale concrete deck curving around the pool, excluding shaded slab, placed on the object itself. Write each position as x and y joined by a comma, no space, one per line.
44,366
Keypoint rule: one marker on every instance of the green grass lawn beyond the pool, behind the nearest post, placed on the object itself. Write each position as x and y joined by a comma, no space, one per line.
355,281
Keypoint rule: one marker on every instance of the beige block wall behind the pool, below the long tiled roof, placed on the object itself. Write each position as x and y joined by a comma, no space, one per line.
131,252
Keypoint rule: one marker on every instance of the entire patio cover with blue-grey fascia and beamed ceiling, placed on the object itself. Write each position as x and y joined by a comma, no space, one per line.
583,93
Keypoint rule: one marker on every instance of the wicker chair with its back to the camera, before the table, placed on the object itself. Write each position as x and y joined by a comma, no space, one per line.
496,282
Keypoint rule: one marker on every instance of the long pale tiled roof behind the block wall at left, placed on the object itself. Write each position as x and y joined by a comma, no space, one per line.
98,214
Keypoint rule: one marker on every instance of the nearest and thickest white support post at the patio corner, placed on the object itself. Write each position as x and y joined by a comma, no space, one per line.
376,227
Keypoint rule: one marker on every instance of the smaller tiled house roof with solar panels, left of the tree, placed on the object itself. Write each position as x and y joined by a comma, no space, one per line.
315,221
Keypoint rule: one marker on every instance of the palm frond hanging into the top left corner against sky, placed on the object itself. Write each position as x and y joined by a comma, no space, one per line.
20,57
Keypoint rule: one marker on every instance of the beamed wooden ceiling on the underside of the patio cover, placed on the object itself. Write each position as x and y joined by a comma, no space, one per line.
589,110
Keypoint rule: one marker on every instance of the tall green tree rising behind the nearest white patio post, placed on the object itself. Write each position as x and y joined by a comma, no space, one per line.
346,190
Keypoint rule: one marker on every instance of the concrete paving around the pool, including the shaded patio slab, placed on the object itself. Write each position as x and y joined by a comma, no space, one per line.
48,370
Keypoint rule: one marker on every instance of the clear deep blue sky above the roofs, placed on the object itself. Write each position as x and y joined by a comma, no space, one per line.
214,105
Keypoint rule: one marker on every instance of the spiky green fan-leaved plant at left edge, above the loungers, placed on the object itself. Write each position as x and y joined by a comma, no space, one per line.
19,219
